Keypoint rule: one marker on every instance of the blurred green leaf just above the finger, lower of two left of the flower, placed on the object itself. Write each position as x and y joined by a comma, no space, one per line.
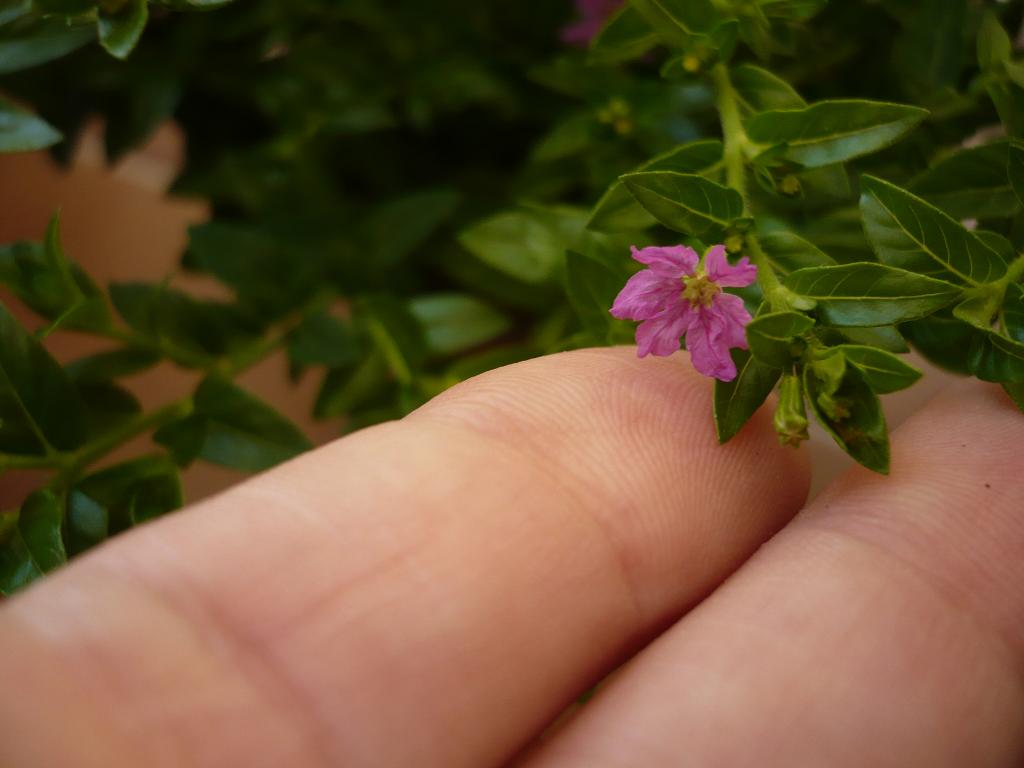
457,323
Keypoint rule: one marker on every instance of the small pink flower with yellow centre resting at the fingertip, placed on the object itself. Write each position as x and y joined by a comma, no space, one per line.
678,295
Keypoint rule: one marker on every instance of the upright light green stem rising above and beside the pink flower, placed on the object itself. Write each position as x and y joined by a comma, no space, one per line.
735,141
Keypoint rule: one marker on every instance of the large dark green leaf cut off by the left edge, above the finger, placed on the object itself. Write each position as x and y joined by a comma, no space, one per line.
36,395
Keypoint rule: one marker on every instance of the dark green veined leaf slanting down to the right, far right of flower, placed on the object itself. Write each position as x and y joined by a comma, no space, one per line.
911,234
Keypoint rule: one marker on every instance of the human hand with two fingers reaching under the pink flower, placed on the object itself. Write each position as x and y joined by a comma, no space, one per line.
435,592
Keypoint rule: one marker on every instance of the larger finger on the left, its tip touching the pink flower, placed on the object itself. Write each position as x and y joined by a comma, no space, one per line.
430,593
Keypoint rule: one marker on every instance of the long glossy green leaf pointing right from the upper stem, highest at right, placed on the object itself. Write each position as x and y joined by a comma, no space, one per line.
830,133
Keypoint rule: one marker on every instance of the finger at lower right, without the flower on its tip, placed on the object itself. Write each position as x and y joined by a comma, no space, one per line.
884,627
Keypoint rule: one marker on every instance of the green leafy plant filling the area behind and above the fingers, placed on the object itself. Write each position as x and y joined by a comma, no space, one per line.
408,194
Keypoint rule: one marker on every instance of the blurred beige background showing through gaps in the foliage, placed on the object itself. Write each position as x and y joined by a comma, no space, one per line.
119,224
